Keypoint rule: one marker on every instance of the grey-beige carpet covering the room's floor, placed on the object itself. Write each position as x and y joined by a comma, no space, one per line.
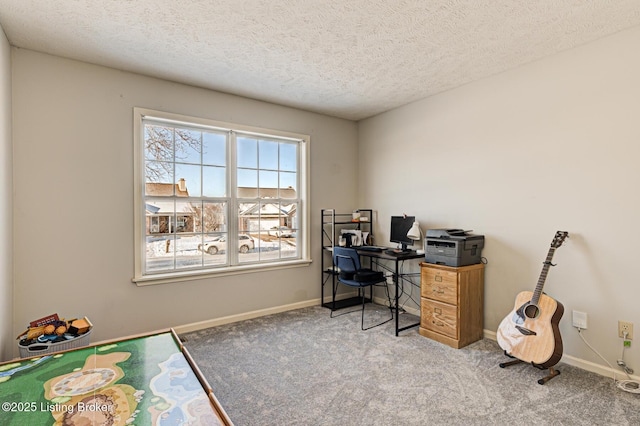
304,368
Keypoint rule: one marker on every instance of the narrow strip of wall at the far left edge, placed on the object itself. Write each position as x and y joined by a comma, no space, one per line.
6,201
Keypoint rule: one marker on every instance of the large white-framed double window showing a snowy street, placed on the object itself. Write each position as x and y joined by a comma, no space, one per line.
214,198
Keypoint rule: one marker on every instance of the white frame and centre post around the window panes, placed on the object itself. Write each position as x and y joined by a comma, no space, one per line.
303,216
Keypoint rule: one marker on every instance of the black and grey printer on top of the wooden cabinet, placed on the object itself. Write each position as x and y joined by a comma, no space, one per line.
452,247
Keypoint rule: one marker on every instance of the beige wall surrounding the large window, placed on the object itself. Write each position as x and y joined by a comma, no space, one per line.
73,202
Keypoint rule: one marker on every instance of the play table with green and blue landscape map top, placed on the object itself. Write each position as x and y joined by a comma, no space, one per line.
148,380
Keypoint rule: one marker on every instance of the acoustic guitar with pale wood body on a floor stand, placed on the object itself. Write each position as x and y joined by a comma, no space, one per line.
530,332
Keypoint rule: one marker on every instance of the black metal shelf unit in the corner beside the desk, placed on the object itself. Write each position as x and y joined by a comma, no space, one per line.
332,225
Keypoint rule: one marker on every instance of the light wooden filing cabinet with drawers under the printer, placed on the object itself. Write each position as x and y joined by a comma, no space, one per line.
451,303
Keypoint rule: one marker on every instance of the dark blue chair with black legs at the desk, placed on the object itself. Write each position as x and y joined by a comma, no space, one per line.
351,273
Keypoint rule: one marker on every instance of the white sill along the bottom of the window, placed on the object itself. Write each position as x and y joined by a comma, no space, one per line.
175,277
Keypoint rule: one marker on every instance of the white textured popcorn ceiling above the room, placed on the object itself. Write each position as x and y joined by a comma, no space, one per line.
351,59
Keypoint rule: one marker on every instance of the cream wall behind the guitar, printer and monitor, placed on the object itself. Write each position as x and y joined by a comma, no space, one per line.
553,145
